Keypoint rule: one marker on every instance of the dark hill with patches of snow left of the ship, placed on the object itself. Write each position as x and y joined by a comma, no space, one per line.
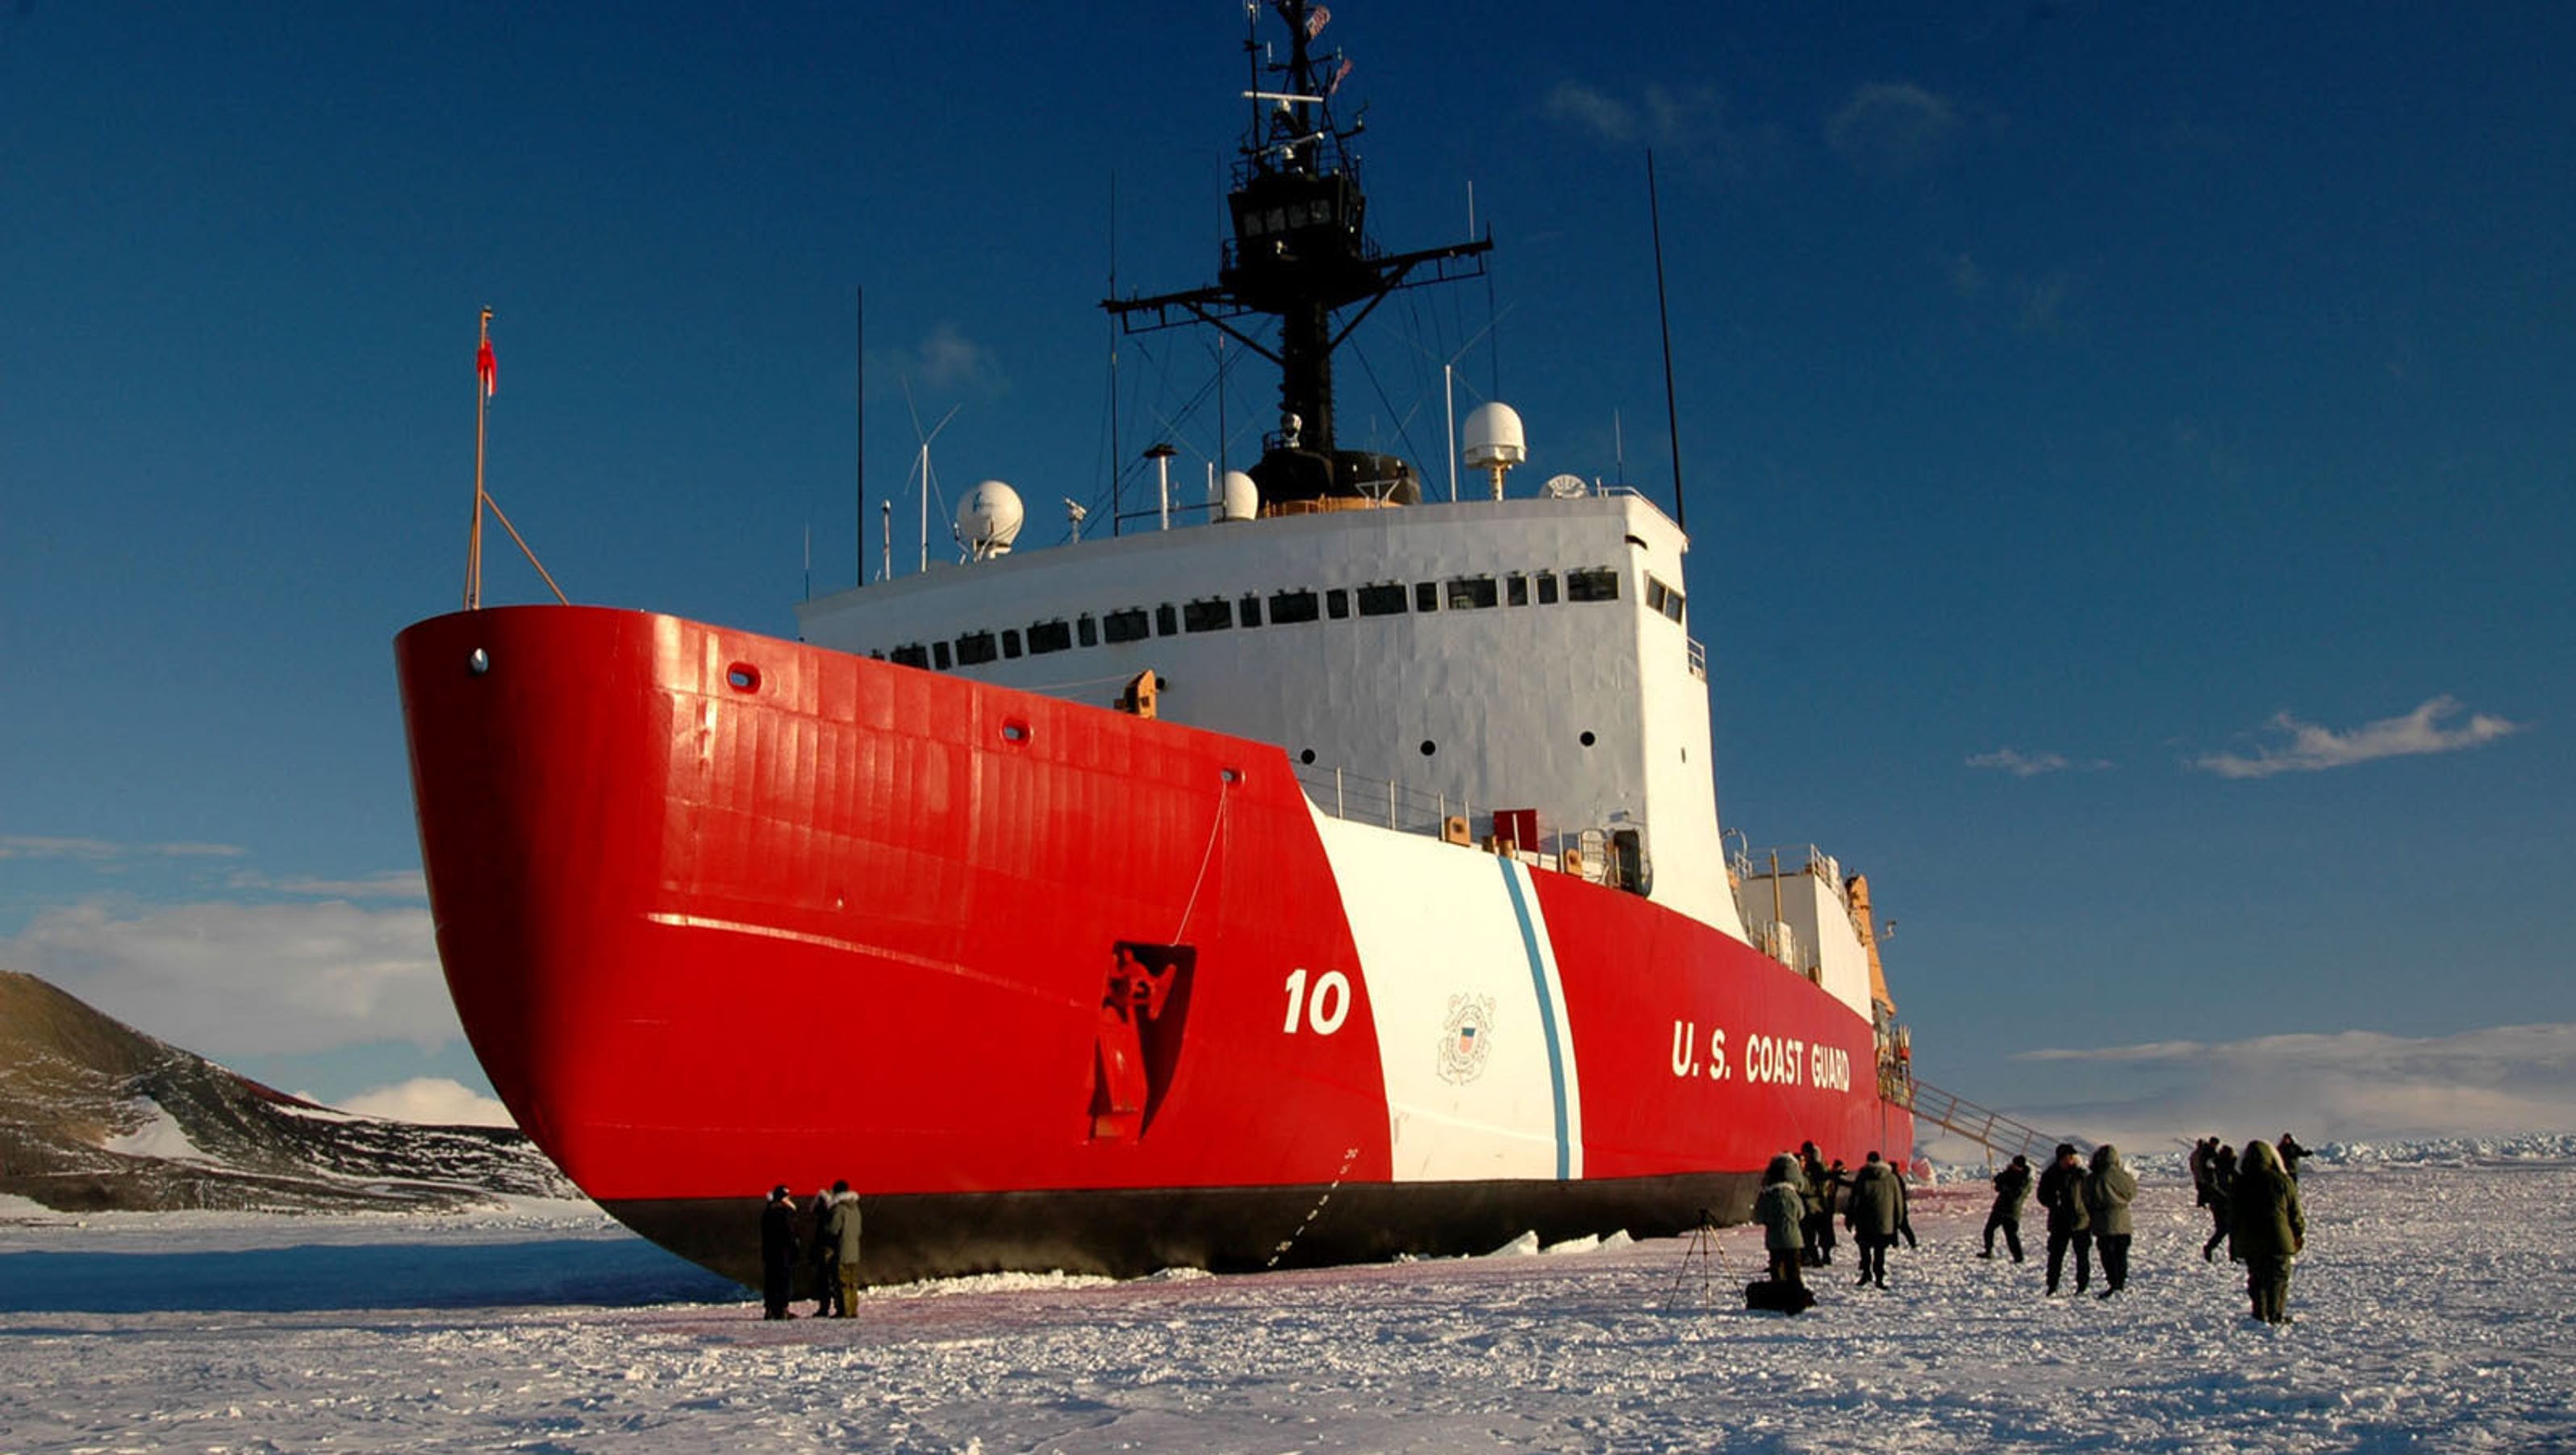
99,1116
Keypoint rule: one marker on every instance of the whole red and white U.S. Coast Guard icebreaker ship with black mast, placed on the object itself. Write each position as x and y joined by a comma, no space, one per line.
1323,882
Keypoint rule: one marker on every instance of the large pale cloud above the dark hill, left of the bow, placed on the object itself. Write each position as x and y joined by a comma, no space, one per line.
249,980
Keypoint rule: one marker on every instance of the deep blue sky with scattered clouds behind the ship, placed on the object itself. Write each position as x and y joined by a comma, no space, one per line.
2129,455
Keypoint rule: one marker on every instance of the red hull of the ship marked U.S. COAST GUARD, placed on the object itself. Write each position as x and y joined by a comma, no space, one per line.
723,913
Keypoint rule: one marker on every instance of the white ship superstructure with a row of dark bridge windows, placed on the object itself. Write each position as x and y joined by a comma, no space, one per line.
1480,661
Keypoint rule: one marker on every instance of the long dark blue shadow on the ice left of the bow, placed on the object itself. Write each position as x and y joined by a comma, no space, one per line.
318,1279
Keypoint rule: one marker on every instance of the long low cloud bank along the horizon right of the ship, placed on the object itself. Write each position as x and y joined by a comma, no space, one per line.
2353,1085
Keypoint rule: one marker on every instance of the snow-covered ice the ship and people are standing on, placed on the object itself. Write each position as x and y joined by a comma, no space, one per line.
2433,1312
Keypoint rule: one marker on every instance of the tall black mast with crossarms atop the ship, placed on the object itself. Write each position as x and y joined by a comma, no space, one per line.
1302,256
